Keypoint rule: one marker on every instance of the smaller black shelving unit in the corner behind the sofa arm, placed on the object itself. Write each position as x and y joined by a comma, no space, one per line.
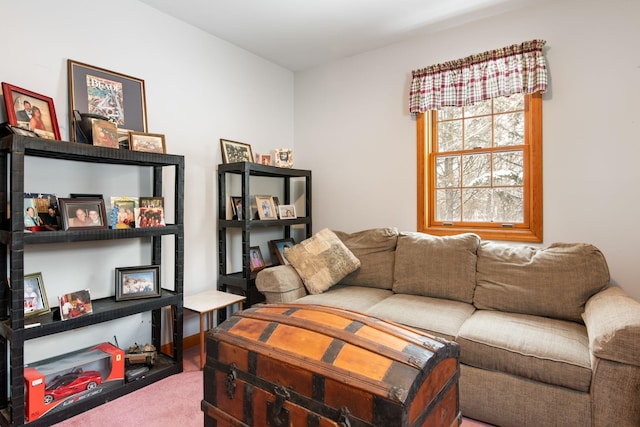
243,282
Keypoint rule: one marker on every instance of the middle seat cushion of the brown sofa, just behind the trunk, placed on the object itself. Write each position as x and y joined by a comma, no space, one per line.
439,317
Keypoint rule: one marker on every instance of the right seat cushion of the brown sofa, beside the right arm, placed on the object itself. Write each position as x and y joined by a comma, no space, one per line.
541,349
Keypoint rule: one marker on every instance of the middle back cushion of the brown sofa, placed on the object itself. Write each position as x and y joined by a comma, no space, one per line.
438,267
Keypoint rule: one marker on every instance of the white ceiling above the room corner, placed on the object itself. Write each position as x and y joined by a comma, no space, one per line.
299,34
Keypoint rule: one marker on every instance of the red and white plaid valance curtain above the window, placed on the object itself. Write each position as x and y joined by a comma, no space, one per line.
519,68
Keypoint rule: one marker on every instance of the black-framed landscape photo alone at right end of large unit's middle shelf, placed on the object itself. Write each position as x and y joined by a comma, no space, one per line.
137,282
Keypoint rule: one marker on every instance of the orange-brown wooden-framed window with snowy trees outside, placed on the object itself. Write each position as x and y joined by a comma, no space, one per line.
480,169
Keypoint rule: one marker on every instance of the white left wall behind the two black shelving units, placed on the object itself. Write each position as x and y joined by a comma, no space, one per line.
198,89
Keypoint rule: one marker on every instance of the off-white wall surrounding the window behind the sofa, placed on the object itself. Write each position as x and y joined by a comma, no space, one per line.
353,129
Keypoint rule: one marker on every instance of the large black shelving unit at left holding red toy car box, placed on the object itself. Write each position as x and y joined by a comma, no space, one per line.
14,241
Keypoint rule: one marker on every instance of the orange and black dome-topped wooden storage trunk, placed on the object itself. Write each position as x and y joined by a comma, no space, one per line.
303,365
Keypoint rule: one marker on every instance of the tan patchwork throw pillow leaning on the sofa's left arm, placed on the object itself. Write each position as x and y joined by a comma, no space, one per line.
321,261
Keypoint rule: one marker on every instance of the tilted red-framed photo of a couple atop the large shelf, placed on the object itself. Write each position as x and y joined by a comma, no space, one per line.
31,111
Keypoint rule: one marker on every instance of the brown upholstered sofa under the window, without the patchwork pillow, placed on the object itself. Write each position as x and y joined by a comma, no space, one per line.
545,339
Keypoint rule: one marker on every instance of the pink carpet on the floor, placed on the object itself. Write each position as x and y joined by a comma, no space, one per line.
173,401
